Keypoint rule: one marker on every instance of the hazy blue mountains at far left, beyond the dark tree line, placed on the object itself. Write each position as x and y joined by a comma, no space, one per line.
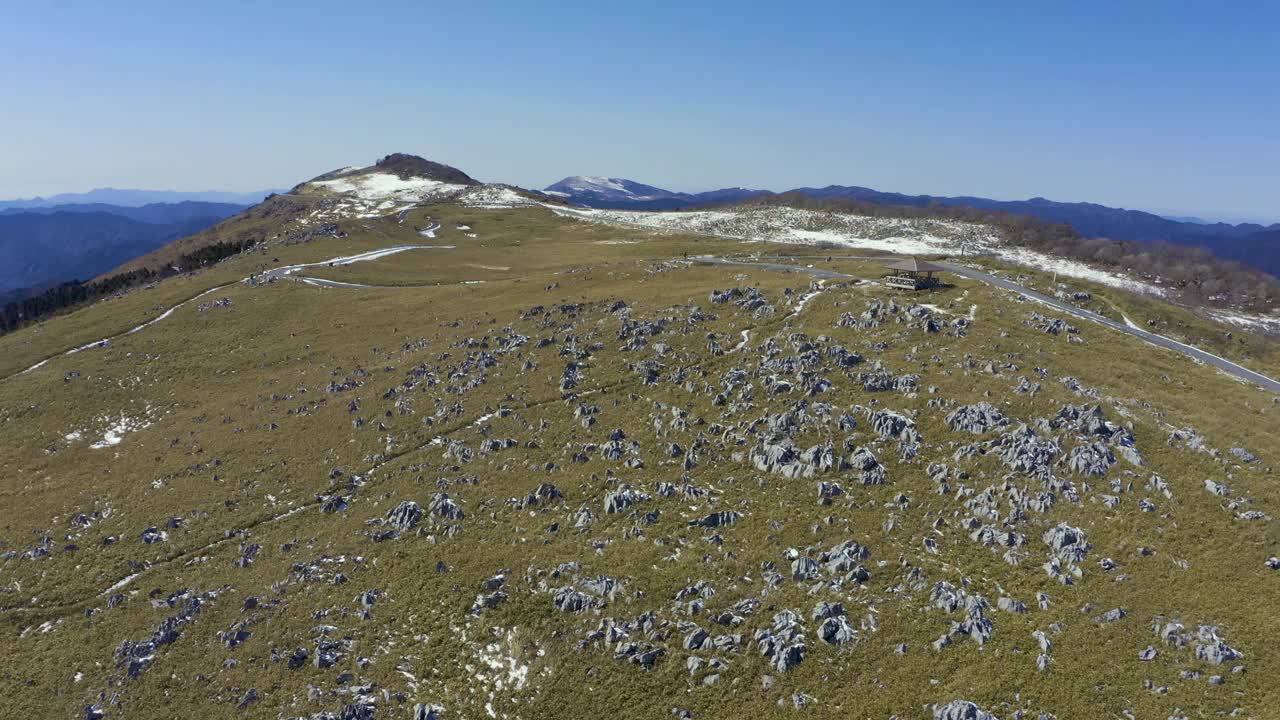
45,247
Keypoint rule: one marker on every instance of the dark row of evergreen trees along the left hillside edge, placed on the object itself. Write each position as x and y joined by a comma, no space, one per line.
75,294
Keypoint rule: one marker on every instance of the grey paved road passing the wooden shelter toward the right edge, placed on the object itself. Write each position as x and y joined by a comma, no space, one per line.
1158,340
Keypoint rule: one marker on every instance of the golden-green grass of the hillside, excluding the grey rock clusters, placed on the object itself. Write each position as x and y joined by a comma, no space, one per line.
241,430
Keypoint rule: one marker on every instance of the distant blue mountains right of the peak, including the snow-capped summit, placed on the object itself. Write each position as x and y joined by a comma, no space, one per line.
1249,243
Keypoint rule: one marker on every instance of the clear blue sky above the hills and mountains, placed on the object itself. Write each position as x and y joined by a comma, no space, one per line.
1171,107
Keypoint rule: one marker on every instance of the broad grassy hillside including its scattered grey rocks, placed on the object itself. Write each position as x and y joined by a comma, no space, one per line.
596,482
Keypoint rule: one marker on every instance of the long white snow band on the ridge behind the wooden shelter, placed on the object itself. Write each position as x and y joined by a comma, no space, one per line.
847,231
